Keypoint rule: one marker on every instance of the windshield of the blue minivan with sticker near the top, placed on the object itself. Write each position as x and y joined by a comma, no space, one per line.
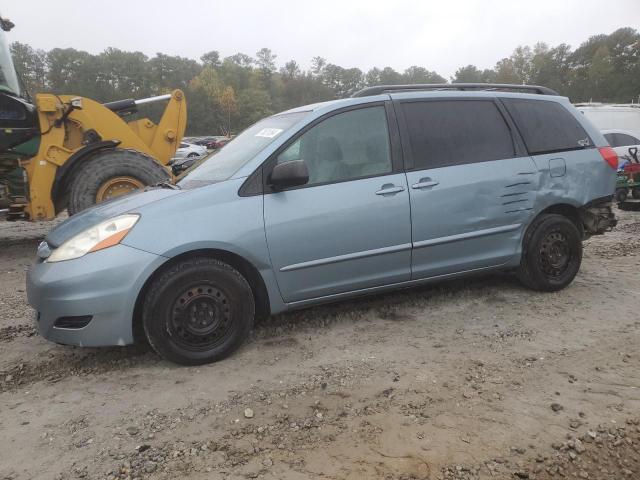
240,150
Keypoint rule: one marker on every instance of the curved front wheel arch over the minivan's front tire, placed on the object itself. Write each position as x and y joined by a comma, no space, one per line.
241,264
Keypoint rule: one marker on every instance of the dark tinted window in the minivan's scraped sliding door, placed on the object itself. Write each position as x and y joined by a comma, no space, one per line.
455,132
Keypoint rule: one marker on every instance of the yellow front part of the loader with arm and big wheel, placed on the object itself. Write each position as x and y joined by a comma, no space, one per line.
88,153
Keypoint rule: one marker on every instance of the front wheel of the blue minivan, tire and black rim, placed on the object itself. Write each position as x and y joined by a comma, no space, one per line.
198,311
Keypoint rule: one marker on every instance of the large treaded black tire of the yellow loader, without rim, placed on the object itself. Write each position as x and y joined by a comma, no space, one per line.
87,179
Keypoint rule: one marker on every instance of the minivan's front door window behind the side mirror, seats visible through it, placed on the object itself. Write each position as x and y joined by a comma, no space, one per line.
346,146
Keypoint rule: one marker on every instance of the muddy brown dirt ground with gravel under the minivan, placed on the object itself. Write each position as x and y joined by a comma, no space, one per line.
473,379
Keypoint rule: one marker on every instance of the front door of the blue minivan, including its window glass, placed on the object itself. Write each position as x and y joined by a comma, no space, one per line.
349,227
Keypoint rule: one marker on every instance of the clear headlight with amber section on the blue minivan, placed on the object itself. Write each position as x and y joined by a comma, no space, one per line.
101,236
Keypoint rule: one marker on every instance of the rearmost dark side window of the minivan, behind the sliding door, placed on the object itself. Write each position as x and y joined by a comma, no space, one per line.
546,126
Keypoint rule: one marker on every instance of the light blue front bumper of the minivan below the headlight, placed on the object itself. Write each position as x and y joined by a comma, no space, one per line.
103,285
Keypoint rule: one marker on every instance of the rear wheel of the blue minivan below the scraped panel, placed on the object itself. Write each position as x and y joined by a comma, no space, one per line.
551,253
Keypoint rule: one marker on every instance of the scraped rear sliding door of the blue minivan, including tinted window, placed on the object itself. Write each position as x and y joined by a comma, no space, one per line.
472,187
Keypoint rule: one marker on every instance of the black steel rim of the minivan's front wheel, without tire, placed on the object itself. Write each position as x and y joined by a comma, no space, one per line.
200,318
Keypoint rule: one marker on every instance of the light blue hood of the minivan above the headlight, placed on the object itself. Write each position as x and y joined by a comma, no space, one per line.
104,211
